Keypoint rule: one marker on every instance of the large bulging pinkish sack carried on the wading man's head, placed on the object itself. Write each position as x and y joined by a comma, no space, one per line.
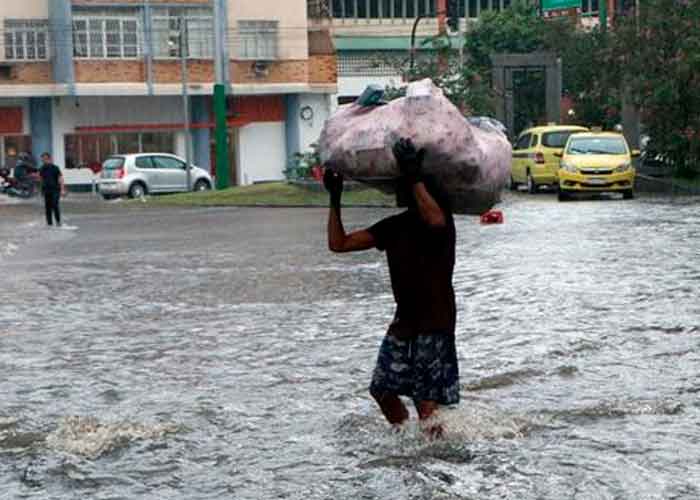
470,164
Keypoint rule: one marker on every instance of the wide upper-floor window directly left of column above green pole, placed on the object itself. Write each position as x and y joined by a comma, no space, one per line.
195,24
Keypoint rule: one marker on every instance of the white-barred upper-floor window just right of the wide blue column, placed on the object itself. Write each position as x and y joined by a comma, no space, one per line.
99,36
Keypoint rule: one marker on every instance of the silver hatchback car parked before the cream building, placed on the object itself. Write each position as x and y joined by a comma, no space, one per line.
139,174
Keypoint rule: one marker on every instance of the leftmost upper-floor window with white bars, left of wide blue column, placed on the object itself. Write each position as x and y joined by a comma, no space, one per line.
26,40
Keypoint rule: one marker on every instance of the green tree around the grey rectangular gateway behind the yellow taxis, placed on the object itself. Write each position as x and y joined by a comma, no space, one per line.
588,76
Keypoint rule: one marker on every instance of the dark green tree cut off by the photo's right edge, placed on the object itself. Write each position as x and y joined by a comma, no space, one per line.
659,53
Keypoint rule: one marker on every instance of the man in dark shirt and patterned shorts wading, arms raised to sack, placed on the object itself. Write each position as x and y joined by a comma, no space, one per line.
417,357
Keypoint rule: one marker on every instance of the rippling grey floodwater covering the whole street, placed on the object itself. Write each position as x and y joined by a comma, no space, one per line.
224,353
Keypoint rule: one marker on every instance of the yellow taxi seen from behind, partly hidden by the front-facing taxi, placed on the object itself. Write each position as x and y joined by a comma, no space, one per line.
534,155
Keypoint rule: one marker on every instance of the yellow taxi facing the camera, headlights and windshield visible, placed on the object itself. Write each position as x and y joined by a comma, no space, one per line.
597,162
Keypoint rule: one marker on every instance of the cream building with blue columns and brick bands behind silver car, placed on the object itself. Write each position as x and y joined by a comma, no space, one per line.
88,78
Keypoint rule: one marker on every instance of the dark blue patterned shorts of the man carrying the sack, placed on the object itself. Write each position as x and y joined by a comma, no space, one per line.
424,369
